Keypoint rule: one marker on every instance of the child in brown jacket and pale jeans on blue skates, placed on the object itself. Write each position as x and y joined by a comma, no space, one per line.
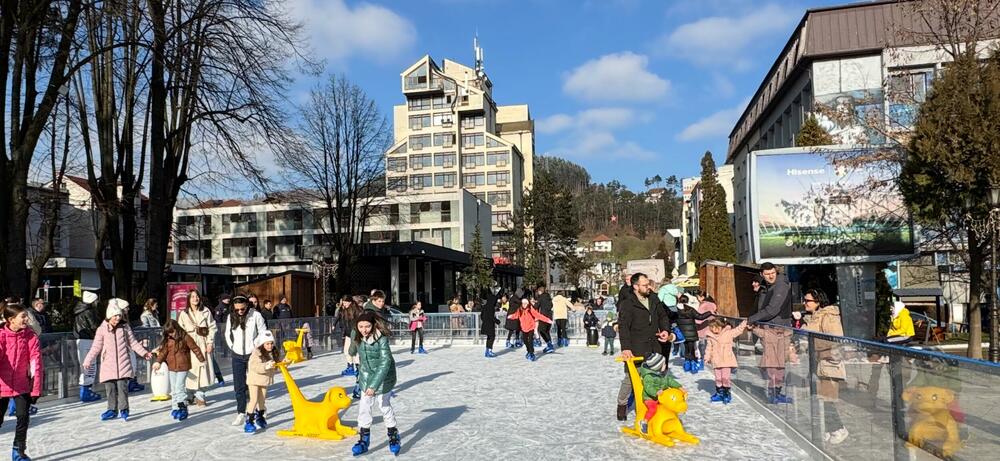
176,347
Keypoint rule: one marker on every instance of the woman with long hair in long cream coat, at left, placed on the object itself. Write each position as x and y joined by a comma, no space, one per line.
198,322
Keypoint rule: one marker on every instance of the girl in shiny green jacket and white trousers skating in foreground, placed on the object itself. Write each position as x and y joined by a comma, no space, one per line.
377,376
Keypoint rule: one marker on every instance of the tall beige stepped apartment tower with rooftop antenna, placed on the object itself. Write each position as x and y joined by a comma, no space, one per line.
450,134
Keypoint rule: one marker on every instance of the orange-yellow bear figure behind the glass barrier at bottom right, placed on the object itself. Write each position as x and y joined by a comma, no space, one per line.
933,422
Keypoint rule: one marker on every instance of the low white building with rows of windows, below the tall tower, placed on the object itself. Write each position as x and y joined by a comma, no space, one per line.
415,245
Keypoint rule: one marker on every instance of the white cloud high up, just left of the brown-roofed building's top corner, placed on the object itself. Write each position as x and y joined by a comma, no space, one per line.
724,40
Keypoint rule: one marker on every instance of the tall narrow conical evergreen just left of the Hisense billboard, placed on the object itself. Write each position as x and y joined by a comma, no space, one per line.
715,238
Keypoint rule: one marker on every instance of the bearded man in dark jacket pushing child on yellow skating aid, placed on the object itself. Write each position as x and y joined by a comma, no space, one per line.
642,326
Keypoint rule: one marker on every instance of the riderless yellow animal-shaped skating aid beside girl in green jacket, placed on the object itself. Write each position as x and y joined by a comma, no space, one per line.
318,420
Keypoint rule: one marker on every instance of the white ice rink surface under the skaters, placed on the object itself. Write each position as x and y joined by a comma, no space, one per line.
451,404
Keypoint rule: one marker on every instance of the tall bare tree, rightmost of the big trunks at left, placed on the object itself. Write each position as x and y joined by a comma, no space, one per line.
217,77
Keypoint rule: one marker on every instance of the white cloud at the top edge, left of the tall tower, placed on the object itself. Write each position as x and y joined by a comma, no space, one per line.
338,31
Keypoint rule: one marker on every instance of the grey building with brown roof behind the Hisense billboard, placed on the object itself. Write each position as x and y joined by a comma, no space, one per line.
872,64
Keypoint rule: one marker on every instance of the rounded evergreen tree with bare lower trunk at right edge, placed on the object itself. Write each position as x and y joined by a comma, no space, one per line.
952,162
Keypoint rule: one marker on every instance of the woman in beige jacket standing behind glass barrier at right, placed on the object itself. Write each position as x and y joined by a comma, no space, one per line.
830,371
